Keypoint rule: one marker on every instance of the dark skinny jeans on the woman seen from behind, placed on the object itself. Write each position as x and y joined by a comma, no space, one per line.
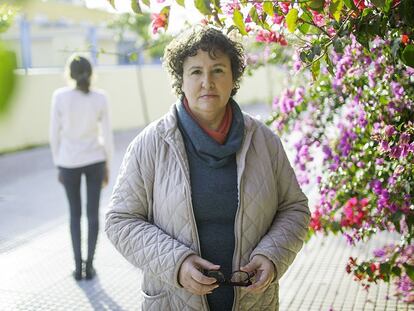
71,179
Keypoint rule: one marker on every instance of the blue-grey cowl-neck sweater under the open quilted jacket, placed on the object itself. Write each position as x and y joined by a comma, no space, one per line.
214,194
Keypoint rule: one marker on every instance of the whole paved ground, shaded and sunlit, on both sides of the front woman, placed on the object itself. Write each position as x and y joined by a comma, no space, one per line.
35,267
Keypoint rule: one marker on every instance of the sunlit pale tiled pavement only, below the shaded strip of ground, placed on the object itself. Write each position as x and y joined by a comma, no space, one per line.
37,276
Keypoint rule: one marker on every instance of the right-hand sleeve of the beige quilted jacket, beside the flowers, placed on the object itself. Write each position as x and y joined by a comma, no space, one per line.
290,225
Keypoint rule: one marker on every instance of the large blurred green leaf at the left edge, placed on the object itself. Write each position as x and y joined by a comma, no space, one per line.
7,78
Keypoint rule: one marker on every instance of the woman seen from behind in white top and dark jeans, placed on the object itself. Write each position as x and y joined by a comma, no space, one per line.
82,144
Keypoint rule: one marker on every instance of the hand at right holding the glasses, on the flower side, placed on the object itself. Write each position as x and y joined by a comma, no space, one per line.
264,271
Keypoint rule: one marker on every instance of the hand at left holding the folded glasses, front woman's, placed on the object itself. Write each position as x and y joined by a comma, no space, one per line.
192,279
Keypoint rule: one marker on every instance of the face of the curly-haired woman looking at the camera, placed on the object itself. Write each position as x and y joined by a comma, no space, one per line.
207,84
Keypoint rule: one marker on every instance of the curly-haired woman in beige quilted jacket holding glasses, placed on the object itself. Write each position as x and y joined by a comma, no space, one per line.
206,202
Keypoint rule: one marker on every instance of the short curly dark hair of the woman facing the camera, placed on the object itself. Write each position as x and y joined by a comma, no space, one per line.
209,40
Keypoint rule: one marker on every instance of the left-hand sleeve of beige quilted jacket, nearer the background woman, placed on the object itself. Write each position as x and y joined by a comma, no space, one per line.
128,222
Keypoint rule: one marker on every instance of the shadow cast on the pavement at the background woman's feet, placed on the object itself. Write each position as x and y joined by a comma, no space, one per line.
97,296
